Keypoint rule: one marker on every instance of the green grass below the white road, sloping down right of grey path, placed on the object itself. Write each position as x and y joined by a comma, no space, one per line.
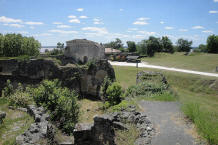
191,89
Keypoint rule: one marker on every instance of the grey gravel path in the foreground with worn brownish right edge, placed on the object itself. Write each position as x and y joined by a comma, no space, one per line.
171,128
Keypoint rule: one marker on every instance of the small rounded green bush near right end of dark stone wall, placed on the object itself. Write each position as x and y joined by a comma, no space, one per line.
114,94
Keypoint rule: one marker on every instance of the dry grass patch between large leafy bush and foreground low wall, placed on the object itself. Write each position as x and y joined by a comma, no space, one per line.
88,109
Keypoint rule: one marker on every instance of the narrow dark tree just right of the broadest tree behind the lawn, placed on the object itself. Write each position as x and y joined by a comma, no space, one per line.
167,45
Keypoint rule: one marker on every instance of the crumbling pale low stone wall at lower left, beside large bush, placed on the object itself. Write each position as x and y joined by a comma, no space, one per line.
39,130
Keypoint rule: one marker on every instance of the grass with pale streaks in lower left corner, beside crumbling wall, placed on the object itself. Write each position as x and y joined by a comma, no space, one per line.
15,123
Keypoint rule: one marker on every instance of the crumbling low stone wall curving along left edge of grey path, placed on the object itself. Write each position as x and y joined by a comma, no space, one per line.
103,130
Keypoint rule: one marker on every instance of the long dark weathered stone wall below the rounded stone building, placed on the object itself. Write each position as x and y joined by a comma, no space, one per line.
85,79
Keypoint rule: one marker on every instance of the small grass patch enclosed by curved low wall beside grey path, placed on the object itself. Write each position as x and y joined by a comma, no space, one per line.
126,137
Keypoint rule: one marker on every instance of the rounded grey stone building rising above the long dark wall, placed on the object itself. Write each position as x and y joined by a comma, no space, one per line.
83,50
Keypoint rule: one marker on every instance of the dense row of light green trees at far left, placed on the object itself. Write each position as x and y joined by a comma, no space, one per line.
12,45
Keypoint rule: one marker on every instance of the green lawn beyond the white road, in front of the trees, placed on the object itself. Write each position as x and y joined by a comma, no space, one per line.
197,61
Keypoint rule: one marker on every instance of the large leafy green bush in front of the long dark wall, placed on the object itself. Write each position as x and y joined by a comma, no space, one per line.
60,102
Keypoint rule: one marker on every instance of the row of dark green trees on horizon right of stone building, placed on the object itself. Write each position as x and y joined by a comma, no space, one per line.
164,44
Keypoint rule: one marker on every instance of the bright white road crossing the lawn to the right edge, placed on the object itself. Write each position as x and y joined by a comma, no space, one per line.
163,68
